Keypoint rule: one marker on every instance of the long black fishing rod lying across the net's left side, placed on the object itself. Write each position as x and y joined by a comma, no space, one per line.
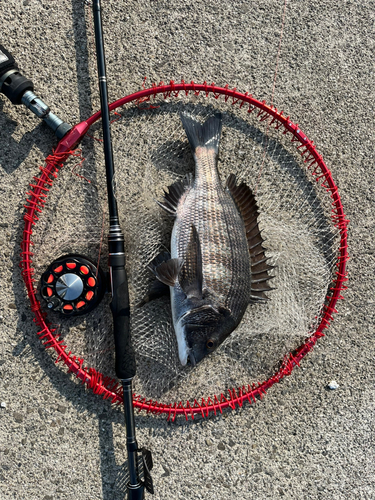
125,355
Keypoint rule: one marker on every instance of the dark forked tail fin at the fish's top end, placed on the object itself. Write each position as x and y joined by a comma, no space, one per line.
206,135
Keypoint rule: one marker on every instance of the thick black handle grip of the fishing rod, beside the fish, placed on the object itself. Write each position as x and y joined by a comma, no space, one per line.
125,364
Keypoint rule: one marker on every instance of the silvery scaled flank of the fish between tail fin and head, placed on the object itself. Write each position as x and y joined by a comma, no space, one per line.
225,255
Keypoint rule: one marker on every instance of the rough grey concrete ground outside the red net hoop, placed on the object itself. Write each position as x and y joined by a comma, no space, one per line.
304,441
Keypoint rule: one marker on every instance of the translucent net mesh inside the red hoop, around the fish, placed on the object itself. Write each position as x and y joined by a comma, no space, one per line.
151,151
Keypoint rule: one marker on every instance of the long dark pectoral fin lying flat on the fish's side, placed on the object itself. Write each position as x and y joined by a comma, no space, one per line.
191,276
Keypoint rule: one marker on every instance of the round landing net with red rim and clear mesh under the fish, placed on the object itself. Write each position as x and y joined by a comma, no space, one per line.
301,217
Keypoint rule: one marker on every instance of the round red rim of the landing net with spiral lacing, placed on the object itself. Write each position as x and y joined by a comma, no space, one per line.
109,388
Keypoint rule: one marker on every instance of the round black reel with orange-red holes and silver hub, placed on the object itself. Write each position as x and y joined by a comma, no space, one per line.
72,285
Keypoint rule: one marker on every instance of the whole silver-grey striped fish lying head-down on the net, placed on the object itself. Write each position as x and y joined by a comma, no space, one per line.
217,264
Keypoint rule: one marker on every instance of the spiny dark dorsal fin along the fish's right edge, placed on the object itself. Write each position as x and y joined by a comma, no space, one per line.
246,204
